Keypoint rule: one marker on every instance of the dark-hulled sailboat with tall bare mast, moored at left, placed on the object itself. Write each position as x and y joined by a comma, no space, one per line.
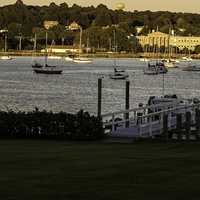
47,69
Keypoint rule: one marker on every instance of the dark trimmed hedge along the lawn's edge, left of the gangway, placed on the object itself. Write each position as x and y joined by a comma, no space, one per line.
43,124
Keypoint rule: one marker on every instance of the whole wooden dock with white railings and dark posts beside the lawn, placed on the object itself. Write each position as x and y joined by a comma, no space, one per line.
169,120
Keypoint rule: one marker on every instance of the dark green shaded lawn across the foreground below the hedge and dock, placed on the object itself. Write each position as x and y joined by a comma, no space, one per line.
56,170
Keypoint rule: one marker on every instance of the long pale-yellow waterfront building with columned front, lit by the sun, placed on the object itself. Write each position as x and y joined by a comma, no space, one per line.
159,39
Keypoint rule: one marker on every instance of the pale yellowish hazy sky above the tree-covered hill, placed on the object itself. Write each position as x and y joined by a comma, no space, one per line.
170,5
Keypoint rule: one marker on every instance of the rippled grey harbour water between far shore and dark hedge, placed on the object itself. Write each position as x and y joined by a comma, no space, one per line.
76,88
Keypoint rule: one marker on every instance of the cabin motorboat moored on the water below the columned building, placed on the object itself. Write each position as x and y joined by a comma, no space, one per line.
155,68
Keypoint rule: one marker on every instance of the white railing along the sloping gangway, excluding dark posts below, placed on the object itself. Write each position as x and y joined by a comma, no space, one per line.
150,121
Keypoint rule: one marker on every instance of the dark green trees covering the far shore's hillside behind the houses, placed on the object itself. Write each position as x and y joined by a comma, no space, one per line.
98,24
